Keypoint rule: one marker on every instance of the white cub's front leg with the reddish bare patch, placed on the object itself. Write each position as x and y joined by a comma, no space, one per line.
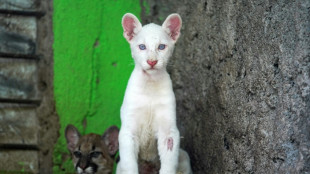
168,141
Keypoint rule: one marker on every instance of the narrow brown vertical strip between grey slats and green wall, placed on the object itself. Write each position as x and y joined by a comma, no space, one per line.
48,118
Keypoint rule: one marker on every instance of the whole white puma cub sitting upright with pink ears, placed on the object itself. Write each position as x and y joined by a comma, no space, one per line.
149,139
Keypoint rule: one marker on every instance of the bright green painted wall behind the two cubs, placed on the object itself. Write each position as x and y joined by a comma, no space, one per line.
92,64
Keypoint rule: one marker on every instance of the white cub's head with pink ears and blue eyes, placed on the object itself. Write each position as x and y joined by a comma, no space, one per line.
151,45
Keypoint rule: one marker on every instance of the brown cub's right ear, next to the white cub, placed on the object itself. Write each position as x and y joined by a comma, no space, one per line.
110,138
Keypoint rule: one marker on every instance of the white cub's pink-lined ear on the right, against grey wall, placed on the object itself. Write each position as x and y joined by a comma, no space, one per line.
172,26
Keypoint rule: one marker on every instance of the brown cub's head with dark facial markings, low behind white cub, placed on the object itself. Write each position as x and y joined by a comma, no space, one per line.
92,153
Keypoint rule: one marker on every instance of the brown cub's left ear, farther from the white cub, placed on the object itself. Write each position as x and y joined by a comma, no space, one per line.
72,137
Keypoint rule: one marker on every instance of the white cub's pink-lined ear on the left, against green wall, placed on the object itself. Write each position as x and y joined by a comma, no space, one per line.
131,26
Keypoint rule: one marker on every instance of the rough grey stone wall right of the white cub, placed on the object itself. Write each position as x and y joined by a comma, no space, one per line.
241,78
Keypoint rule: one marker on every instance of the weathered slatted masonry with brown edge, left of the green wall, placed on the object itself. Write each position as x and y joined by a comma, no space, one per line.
26,98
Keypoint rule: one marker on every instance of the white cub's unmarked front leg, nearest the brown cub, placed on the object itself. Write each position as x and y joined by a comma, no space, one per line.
128,151
